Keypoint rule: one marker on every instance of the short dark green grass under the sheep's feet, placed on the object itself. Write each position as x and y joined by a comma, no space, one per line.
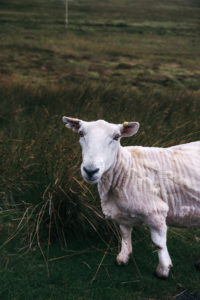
86,270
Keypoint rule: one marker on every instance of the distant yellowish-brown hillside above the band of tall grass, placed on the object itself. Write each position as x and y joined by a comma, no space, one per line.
141,43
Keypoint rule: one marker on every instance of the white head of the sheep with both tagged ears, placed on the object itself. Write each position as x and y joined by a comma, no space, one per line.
99,141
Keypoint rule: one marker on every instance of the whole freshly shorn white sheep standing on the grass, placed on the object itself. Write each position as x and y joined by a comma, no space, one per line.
156,186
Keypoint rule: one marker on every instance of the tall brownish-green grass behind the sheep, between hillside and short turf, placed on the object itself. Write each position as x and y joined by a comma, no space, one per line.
42,193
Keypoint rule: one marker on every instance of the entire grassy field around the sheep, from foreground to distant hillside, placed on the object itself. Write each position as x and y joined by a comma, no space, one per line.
117,60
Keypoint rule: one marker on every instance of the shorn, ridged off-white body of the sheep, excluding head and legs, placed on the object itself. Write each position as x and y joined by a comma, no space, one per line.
148,181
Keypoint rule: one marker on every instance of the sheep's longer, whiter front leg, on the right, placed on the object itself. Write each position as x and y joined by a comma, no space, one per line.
158,230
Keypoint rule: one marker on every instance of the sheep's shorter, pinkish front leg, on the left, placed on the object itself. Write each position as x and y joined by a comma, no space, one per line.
126,246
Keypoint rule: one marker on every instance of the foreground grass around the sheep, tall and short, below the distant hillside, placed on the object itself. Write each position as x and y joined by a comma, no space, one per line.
47,211
